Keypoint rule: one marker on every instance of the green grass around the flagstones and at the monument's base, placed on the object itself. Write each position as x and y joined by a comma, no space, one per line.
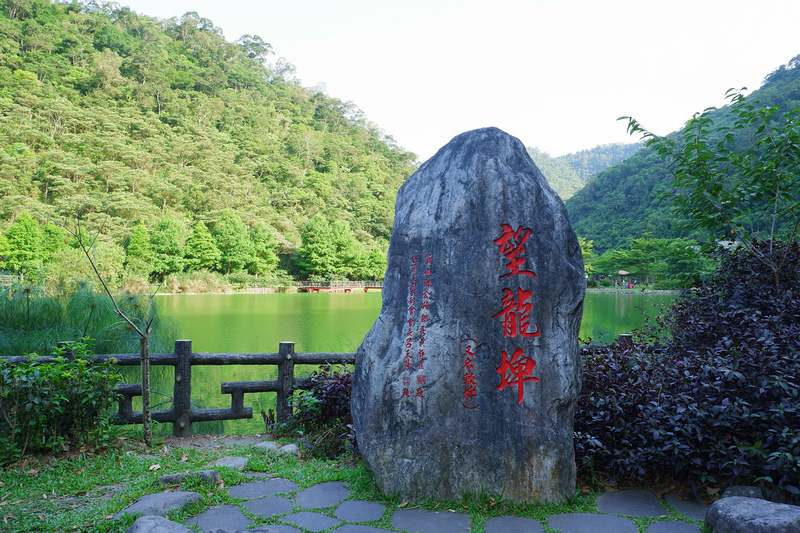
82,491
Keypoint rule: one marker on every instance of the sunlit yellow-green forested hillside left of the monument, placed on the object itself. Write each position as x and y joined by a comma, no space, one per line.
133,122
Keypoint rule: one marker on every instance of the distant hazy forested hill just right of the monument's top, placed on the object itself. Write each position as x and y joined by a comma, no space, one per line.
567,174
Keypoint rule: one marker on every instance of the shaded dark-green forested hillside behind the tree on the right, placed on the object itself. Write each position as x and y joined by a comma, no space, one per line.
622,203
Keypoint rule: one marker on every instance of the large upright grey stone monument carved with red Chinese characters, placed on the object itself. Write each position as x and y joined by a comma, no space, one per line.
469,377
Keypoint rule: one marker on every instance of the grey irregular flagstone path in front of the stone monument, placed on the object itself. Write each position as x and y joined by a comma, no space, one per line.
327,505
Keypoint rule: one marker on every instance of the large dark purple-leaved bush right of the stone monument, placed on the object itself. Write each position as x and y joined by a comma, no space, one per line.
720,403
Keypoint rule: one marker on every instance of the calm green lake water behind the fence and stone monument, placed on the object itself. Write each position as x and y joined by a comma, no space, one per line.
318,322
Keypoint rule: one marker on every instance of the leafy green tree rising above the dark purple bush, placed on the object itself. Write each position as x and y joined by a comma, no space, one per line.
727,185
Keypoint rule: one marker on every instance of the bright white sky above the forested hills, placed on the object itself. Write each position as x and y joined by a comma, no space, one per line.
554,73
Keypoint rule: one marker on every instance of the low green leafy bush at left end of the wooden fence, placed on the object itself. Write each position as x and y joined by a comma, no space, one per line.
47,405
